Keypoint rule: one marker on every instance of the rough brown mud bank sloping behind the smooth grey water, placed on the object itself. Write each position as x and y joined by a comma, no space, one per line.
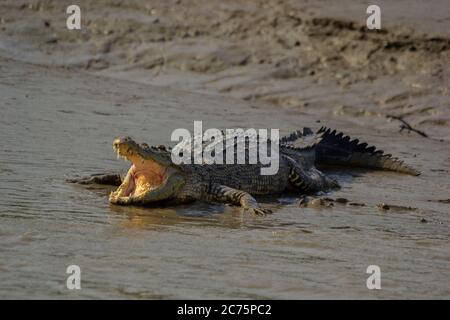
316,59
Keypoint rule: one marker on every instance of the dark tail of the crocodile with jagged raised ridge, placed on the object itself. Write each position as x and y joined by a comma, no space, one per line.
334,148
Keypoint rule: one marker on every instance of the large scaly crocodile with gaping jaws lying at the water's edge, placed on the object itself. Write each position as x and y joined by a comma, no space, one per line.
154,178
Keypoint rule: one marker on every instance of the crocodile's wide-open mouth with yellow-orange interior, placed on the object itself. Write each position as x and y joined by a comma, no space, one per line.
144,174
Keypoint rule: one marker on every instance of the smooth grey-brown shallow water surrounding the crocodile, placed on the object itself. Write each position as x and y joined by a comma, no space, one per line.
59,123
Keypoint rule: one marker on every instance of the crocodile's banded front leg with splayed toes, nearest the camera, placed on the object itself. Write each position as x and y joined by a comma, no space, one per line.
224,194
